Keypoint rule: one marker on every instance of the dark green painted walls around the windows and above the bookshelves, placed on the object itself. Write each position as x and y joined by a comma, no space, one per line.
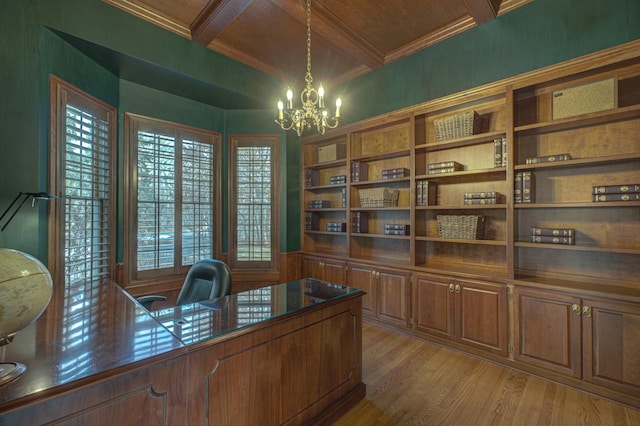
38,39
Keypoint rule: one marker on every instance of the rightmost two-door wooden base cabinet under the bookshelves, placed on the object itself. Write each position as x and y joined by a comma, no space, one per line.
585,337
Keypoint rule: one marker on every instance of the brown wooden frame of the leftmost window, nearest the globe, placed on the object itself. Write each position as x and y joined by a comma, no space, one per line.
61,94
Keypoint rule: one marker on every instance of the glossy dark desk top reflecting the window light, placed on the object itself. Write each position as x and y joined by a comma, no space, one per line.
101,331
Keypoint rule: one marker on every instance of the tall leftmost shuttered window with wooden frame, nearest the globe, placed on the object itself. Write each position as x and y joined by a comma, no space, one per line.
82,152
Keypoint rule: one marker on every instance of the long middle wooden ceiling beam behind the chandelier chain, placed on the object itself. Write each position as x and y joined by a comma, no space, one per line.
335,31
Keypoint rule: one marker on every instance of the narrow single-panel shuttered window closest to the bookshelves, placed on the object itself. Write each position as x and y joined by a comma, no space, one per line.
254,201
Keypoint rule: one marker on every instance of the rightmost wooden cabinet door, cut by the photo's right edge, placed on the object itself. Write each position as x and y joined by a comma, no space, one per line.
611,344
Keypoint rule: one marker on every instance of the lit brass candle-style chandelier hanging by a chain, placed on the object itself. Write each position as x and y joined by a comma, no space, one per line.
313,111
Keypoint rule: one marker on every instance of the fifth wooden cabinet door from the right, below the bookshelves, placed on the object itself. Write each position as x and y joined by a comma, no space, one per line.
393,296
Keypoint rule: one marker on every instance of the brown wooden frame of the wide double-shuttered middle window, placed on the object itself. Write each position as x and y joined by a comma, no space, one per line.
134,123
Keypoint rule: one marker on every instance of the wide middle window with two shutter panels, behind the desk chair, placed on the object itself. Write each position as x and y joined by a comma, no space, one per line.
172,197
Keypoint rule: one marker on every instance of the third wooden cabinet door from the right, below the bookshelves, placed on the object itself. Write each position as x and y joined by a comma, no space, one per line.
482,315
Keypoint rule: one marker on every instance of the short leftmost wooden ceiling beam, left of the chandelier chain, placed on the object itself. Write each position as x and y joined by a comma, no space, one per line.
214,18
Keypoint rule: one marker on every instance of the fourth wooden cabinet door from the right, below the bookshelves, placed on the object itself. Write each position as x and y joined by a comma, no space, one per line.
434,306
